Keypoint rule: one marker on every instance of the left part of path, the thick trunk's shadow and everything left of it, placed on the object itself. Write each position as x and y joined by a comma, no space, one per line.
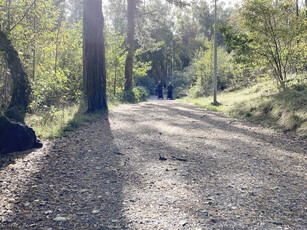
78,178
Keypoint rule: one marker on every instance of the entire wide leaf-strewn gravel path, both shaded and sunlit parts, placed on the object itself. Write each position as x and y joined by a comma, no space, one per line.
219,173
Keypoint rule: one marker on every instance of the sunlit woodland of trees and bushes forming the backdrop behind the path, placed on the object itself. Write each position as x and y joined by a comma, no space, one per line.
168,41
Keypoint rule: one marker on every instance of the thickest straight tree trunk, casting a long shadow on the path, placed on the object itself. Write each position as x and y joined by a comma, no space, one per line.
94,55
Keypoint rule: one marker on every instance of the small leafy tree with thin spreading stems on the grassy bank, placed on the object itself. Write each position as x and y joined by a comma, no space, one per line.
274,33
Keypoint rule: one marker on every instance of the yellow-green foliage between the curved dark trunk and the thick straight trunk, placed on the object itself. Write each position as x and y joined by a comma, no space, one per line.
51,50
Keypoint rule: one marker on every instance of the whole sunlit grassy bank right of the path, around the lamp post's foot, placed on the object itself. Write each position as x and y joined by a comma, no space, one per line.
264,104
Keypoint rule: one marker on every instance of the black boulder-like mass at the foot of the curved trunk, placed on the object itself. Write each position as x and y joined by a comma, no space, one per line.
15,137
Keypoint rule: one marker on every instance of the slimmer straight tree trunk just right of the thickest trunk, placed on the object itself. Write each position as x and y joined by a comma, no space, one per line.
129,60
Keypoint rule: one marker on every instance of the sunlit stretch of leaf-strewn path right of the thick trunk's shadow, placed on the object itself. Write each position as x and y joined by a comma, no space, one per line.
236,175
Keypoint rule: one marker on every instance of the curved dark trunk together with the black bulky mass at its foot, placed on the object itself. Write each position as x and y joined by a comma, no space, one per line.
15,136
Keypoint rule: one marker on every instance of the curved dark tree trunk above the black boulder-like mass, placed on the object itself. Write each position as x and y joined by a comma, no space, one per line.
21,87
